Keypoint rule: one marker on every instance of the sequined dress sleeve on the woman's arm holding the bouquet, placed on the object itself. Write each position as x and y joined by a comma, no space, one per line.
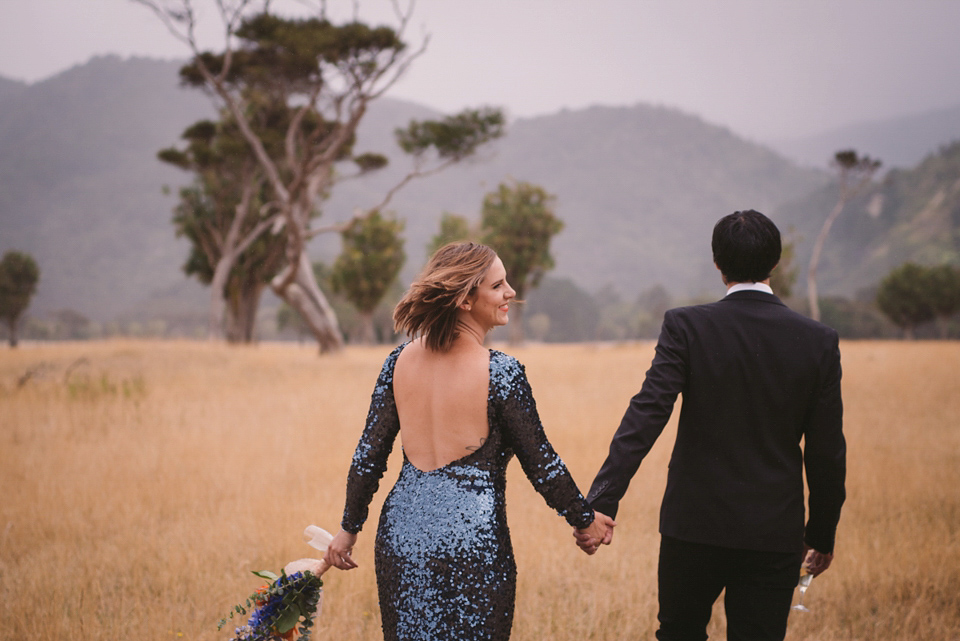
376,443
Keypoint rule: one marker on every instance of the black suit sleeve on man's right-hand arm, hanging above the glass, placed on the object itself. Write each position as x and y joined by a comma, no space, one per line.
824,456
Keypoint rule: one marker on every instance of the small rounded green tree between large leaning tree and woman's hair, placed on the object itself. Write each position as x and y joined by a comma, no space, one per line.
371,259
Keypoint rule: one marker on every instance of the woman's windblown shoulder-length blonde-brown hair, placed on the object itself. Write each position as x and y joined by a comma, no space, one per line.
429,307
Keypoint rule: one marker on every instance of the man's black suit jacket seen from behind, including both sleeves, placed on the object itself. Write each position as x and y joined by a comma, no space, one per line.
756,378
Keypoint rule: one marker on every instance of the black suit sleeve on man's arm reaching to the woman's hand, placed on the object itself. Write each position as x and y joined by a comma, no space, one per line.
644,420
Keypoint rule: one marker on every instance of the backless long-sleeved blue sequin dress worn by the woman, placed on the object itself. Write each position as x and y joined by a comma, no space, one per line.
444,561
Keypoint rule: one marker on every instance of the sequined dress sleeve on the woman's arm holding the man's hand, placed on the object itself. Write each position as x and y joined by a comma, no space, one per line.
516,413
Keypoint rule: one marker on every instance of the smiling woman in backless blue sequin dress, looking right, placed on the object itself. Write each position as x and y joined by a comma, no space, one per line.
444,561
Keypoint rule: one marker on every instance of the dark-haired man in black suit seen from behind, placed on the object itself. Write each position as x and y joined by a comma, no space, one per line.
756,379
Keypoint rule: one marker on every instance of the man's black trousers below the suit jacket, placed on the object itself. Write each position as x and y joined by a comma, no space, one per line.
759,588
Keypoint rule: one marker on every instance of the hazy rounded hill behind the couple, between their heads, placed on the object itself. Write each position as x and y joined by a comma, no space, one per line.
638,188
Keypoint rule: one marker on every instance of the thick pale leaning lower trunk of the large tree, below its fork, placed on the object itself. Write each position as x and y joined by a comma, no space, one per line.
303,294
